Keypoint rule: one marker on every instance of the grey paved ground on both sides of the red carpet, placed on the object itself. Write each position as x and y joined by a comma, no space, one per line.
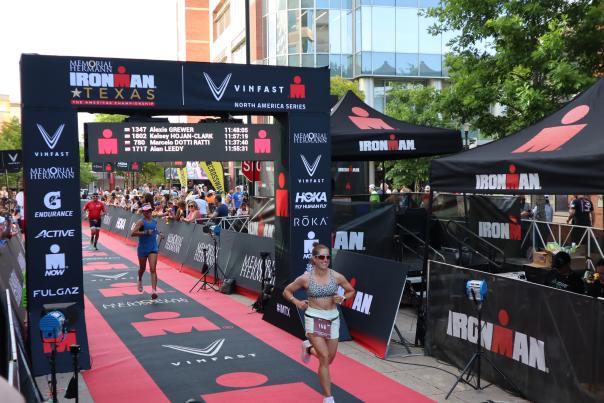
424,374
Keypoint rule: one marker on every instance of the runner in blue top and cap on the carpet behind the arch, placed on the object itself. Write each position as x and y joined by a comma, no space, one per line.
146,231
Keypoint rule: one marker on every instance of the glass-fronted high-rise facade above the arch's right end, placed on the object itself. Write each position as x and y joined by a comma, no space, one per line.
355,38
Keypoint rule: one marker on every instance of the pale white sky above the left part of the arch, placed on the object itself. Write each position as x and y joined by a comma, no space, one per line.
137,29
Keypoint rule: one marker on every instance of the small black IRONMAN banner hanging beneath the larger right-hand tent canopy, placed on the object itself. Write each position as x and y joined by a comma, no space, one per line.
497,220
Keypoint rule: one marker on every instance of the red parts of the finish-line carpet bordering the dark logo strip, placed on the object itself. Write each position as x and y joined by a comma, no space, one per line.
113,364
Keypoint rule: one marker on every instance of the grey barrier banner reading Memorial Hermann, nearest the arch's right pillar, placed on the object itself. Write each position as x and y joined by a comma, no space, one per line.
244,263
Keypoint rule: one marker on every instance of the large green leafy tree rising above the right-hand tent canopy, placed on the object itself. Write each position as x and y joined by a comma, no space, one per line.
529,57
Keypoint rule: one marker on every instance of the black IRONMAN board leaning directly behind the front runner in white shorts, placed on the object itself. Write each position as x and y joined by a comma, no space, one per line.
371,313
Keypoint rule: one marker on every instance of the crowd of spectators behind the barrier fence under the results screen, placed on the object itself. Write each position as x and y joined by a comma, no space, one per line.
173,204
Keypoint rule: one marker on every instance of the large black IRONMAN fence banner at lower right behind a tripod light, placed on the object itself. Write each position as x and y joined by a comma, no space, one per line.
546,341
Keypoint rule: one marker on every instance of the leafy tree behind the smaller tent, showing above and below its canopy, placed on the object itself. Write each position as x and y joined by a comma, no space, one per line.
418,105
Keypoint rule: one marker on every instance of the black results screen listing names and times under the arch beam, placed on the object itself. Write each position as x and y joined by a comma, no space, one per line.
127,142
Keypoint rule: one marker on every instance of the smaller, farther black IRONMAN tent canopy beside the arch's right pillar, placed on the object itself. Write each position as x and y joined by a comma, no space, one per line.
360,133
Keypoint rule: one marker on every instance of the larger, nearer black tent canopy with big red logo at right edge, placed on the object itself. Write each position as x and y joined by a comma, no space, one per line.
561,154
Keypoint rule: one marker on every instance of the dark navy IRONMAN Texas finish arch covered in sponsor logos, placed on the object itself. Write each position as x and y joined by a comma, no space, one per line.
55,88
